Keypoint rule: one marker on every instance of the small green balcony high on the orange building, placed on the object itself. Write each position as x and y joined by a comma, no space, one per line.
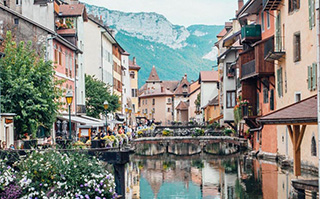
250,33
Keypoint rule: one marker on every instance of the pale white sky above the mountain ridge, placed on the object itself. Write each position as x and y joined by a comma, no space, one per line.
178,12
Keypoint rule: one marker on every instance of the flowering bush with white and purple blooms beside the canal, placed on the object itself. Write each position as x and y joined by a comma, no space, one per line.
51,174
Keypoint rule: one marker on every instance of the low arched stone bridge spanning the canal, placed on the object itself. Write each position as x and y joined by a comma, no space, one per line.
187,145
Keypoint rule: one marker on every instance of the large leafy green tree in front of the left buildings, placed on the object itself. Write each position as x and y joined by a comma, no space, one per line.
28,88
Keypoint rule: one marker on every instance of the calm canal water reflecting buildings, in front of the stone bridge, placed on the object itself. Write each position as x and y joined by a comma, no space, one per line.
205,176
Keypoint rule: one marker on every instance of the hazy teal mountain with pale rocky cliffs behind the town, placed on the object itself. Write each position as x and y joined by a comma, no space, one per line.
153,40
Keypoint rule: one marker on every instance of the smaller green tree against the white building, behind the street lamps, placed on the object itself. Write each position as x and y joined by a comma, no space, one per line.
97,92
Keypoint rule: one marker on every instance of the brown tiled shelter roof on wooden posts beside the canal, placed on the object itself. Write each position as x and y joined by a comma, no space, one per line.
304,111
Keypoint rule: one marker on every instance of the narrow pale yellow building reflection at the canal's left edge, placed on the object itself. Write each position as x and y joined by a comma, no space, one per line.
132,177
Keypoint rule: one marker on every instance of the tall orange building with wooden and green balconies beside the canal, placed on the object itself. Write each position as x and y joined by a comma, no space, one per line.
257,73
